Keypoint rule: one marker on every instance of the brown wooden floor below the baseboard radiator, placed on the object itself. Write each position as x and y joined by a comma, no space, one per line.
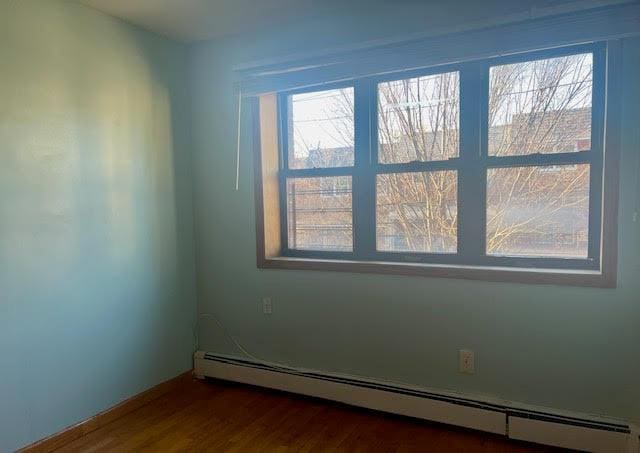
220,416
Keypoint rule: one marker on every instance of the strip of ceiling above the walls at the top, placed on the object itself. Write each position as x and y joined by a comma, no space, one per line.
192,20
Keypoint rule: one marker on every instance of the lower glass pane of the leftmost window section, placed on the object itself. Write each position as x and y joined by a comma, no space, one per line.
319,213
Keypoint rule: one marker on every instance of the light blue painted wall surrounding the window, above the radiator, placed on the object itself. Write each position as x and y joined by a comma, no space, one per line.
562,347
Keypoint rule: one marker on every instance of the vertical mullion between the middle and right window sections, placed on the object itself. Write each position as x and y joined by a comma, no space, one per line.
472,172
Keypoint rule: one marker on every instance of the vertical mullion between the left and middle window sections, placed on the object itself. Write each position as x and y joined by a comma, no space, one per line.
363,177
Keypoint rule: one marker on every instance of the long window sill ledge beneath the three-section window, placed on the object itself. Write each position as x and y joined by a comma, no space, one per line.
497,274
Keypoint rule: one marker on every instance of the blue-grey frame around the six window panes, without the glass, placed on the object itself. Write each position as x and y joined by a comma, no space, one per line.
472,155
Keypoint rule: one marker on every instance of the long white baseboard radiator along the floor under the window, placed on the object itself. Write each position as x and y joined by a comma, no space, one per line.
568,431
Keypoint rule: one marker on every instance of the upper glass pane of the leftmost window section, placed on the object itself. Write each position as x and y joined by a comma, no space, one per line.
321,129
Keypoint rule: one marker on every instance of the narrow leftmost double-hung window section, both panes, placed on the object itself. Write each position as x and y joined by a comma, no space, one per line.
320,138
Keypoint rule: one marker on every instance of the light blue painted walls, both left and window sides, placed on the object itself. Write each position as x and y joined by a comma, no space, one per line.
97,297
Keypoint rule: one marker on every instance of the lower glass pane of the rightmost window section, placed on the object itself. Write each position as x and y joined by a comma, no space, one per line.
538,211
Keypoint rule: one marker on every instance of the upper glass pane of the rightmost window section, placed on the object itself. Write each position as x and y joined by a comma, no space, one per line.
541,106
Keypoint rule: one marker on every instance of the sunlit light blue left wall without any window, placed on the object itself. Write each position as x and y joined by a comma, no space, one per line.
97,292
